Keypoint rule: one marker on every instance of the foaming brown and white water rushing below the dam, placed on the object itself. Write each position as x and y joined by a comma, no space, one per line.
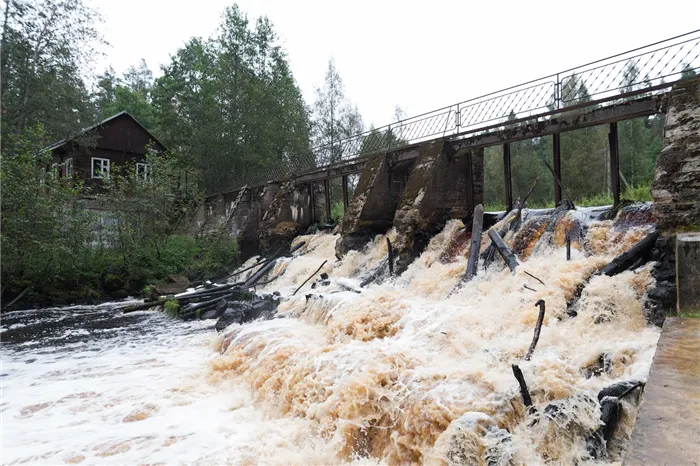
405,371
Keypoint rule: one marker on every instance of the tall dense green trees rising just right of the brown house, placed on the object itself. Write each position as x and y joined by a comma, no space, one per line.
230,104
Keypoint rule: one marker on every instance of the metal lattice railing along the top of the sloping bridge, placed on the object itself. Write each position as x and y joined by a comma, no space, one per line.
642,70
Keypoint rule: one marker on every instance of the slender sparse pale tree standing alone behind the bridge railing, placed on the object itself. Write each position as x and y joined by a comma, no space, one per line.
334,118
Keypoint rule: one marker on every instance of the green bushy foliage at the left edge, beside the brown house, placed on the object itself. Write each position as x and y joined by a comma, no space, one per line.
43,232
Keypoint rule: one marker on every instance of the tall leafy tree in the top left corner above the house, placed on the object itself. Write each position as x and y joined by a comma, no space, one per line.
45,44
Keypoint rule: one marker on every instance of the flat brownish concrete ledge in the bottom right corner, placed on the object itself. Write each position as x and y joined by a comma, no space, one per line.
668,426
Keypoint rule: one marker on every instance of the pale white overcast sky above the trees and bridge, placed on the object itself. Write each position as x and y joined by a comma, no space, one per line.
419,55
